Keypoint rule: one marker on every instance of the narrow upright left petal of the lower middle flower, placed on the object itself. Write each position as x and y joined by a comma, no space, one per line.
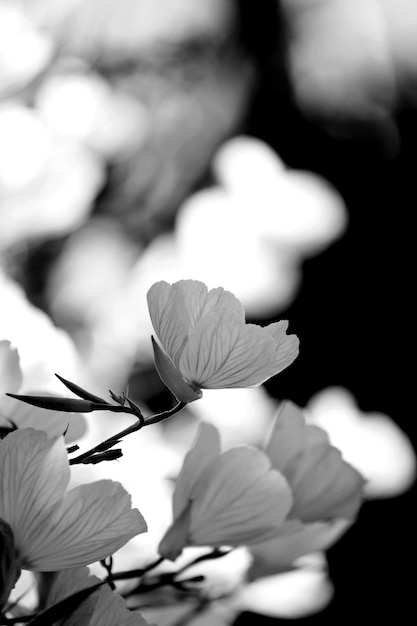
203,454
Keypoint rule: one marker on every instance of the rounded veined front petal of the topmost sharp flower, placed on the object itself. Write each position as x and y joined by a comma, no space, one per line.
221,353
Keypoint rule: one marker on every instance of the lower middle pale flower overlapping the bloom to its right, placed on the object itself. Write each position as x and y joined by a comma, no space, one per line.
230,498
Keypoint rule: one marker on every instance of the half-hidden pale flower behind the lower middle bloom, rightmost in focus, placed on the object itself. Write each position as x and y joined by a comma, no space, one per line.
327,492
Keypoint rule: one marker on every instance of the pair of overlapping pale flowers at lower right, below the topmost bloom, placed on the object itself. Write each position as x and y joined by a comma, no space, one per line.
300,488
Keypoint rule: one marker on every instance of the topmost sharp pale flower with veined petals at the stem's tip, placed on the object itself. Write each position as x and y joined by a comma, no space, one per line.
207,342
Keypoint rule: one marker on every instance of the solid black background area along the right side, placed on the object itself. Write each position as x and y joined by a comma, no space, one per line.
355,318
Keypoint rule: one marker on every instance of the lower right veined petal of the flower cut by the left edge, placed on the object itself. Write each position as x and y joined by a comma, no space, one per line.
92,522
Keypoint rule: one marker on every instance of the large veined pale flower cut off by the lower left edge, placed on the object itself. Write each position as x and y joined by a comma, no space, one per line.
53,528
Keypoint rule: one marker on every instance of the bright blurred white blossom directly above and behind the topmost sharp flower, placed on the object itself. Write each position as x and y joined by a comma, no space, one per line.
251,232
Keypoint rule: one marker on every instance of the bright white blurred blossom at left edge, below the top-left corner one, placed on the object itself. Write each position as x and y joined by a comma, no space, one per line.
47,184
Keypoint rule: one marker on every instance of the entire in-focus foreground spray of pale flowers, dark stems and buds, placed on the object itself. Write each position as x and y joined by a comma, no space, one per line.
287,499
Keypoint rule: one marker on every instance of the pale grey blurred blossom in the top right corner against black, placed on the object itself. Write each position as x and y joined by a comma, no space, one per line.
352,62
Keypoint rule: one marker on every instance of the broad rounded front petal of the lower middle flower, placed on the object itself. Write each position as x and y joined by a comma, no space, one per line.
243,500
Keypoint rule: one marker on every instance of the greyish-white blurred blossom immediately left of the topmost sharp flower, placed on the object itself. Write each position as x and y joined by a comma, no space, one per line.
89,288
